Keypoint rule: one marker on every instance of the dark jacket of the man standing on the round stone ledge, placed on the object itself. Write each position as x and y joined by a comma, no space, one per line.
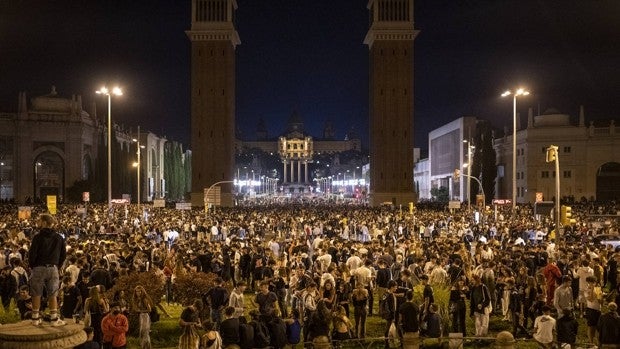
47,248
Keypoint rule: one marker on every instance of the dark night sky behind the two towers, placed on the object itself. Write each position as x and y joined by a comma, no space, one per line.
309,55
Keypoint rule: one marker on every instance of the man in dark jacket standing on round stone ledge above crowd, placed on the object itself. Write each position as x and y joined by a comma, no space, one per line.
47,253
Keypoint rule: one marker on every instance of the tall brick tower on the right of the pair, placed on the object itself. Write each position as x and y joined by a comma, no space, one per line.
390,41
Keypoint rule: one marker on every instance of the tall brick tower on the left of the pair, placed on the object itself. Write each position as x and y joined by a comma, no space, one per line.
213,40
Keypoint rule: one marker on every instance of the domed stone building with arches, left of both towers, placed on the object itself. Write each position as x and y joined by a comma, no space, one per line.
52,142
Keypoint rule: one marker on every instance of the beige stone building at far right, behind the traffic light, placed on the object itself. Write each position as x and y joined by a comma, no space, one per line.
589,158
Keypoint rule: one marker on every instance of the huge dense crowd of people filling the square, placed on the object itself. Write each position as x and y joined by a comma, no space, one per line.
316,270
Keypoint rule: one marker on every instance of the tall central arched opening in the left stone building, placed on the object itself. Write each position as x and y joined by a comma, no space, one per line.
48,173
